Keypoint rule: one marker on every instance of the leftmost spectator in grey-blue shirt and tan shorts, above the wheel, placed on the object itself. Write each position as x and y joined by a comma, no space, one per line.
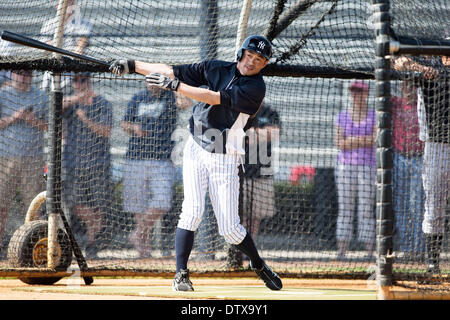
22,124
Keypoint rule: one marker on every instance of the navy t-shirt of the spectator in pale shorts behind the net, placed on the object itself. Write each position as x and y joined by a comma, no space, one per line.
157,116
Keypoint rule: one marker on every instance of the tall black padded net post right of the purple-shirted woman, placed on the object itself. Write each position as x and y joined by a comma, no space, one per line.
384,154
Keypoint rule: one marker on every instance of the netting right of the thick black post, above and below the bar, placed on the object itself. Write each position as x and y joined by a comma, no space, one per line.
420,106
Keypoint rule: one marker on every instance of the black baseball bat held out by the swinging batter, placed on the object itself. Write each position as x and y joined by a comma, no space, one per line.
23,40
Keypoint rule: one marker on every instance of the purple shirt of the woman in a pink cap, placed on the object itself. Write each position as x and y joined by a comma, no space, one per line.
359,156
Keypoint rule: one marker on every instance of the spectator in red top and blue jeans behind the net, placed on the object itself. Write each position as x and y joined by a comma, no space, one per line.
408,188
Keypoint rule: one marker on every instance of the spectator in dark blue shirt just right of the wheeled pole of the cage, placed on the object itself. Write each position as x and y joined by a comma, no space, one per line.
86,157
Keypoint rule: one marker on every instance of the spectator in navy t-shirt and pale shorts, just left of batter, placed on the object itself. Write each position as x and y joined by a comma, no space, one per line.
148,177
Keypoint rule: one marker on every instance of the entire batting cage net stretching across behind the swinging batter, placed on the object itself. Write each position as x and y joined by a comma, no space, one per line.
308,186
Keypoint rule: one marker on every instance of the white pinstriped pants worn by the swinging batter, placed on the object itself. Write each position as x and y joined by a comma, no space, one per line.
219,173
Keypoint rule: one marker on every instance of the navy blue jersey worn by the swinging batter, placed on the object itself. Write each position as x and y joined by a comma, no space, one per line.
240,97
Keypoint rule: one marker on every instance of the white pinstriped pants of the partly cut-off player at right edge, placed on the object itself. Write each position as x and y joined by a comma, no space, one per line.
436,184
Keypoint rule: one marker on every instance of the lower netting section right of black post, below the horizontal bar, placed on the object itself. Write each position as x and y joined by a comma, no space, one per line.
420,174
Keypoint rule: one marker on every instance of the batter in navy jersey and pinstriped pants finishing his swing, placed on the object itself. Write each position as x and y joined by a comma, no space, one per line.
229,93
